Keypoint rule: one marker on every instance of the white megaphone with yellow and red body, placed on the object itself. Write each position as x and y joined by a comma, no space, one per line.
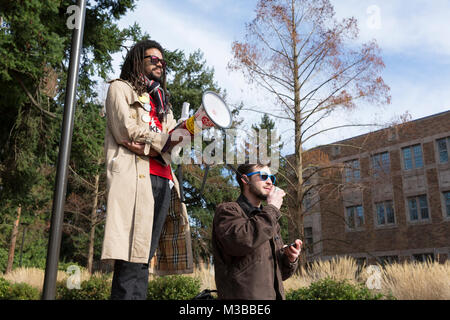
213,112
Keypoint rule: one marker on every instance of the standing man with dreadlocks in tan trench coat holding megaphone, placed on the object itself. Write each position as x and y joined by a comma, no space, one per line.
144,212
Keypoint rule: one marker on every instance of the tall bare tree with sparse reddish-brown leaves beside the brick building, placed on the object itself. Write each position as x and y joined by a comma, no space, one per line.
310,63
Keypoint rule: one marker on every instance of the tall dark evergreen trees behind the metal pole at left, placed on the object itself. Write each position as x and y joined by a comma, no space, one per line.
34,49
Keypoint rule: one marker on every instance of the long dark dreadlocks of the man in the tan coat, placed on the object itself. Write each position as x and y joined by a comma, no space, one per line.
133,65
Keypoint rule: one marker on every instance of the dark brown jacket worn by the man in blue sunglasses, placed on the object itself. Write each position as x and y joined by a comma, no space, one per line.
249,259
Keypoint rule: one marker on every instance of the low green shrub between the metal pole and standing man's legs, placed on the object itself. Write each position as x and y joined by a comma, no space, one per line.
96,288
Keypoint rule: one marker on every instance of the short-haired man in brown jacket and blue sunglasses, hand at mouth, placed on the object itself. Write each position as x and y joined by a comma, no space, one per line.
250,260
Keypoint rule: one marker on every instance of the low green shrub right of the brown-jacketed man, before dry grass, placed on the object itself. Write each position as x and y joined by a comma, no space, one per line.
329,289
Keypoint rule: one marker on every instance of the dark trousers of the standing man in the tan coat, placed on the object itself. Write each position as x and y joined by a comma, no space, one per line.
130,280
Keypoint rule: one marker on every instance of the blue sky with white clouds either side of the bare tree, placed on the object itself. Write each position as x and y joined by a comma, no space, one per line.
414,37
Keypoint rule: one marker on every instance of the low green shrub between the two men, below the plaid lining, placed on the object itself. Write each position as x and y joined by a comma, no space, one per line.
175,287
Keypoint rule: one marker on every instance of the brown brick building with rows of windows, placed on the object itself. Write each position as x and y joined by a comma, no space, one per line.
388,198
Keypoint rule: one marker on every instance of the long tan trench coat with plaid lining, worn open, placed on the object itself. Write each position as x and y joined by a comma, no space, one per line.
129,219
